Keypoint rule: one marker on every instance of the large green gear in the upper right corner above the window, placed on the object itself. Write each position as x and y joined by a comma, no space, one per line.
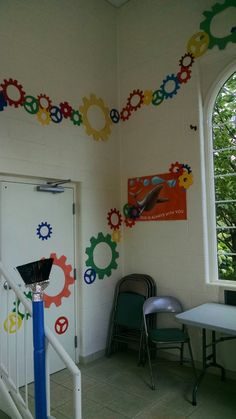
206,25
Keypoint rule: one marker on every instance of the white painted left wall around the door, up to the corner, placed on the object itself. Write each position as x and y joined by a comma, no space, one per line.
66,49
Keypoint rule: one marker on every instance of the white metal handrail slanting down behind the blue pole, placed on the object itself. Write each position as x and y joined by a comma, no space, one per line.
69,363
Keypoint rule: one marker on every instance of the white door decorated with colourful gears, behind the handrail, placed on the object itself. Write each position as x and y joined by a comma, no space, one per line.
37,225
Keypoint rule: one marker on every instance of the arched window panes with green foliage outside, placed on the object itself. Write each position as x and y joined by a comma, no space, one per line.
222,171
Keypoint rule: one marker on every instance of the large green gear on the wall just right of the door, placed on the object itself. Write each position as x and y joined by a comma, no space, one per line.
90,252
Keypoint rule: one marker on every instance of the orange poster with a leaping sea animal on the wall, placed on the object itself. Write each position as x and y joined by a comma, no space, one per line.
158,197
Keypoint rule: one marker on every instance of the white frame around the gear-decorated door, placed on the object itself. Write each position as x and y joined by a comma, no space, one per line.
75,187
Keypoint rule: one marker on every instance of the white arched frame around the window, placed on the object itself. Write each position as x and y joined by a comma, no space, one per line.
210,243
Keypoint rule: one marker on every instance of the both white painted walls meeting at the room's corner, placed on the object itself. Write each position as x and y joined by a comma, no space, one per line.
68,49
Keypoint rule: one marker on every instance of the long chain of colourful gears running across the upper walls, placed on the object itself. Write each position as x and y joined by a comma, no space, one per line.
42,107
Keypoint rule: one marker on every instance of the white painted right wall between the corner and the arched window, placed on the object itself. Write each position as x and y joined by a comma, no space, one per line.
152,37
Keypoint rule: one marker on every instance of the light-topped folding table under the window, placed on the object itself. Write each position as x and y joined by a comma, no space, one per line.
216,318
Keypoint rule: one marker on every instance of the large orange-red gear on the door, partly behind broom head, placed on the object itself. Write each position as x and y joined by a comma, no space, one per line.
69,280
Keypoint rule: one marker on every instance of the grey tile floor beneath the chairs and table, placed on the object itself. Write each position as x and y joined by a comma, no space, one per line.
116,388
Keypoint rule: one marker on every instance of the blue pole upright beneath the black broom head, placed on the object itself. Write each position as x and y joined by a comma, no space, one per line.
39,360
